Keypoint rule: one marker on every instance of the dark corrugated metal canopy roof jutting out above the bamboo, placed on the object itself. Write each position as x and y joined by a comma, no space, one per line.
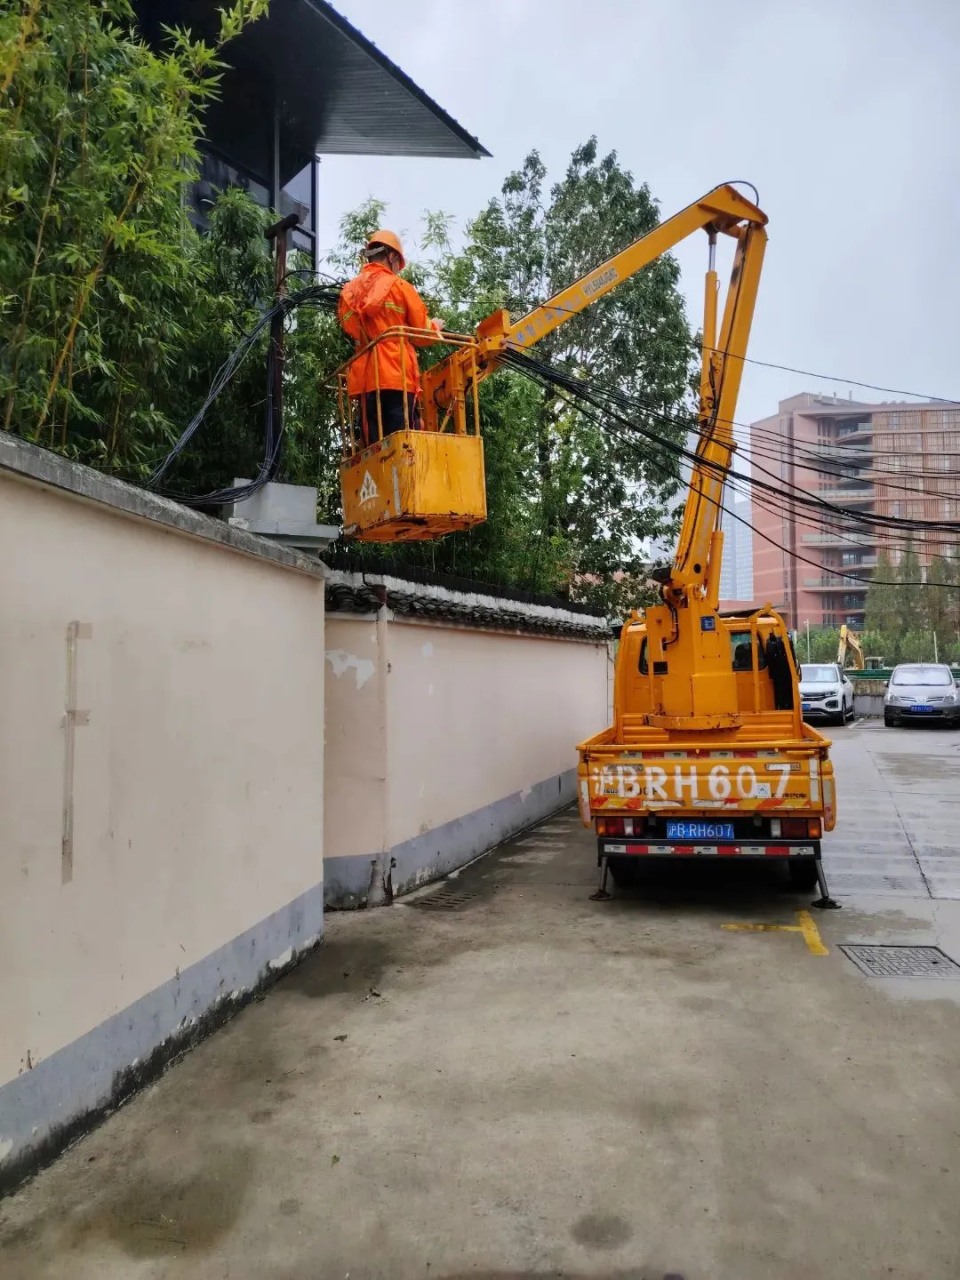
337,94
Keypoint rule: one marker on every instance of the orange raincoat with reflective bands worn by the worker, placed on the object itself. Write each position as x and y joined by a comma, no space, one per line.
371,304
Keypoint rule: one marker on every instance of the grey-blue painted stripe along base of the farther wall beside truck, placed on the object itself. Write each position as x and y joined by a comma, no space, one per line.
449,847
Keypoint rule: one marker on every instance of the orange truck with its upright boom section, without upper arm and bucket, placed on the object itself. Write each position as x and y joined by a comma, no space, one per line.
708,755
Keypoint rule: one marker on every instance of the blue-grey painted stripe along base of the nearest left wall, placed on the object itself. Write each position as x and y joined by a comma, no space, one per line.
88,1076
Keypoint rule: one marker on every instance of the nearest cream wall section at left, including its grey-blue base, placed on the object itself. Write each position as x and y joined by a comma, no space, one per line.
198,789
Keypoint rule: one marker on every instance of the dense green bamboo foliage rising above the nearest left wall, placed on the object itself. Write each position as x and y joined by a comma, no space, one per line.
104,294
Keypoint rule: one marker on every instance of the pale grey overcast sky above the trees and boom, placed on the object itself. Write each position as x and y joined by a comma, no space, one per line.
844,115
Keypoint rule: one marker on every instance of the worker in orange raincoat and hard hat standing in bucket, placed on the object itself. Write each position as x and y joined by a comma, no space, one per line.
386,380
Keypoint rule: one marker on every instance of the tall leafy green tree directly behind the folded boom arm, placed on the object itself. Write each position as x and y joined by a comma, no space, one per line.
601,495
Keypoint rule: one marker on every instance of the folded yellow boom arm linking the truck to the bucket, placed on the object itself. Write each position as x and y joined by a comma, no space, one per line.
721,212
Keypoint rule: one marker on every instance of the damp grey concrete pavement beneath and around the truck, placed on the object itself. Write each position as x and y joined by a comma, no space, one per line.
523,1084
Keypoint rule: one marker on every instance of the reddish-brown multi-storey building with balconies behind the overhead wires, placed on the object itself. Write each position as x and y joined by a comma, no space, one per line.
895,459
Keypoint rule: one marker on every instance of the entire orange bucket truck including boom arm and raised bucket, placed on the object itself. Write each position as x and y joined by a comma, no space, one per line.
708,755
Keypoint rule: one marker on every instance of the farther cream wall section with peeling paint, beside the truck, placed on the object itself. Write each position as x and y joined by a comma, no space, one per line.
481,726
